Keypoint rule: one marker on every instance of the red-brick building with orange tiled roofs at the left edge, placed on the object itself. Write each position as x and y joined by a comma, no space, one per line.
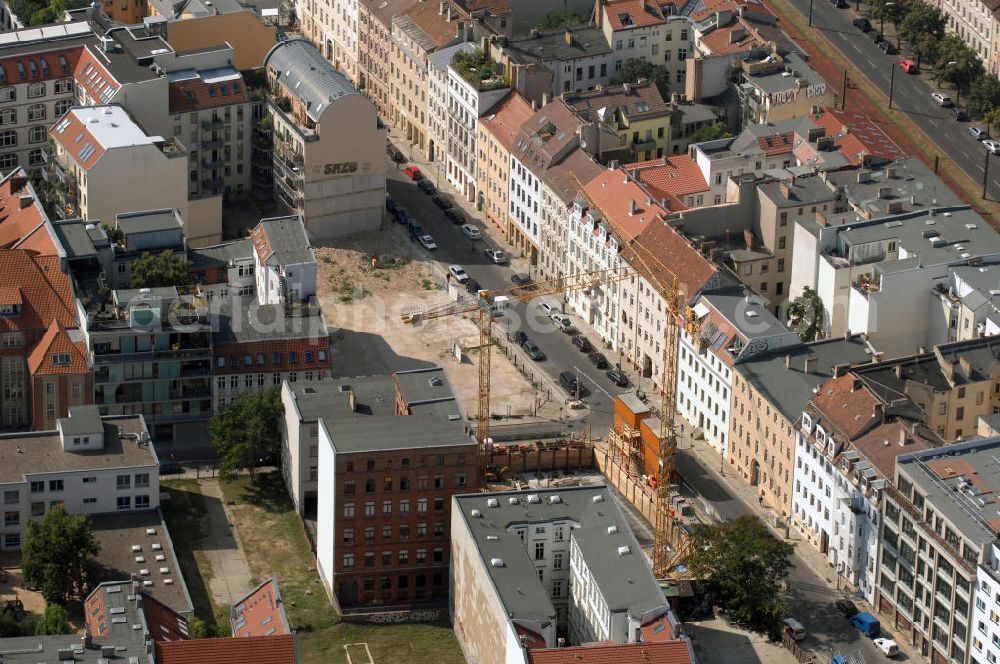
43,358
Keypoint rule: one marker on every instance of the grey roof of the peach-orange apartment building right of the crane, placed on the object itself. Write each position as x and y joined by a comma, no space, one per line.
789,388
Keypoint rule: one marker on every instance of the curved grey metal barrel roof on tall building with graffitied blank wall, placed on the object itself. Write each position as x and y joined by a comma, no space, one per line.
305,72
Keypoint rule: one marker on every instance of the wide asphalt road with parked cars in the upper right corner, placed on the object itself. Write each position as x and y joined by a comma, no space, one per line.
911,94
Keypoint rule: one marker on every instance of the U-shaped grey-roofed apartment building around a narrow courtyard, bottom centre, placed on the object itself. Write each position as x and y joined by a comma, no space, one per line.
536,570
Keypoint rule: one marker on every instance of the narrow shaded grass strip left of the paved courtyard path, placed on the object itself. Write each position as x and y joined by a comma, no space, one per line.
183,512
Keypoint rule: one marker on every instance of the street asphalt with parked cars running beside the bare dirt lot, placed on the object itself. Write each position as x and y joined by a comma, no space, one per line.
561,354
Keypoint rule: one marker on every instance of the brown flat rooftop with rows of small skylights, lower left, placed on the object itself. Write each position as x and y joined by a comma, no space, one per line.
118,533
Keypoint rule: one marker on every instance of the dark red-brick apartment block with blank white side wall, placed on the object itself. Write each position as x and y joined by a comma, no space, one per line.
383,517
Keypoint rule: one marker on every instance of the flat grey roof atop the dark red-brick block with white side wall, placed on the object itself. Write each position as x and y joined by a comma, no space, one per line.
374,425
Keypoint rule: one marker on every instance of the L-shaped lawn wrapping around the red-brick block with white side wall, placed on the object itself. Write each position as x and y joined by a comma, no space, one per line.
276,545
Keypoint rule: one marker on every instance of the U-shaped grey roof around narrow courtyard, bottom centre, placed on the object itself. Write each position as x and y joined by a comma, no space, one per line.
599,529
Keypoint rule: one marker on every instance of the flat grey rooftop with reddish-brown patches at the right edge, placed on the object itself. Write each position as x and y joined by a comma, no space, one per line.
962,482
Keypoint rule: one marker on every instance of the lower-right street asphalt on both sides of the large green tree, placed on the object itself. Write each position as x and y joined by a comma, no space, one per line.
810,597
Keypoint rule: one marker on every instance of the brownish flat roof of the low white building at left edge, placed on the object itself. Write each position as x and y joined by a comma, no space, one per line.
39,452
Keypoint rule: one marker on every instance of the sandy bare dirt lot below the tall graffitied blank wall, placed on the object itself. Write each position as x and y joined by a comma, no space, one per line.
363,304
